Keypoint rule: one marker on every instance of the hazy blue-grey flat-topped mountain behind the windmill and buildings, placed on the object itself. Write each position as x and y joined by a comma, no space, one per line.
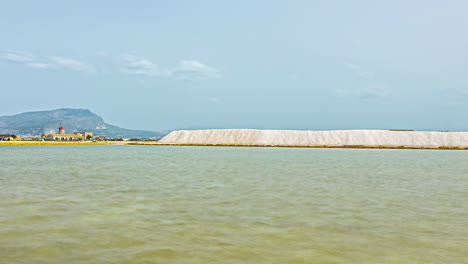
73,120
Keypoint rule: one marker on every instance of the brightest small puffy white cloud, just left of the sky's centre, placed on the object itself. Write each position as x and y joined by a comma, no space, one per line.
194,70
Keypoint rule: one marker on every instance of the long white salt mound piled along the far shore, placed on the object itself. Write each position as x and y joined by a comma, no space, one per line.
370,138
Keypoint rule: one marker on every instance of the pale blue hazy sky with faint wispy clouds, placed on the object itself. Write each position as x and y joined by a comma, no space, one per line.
315,65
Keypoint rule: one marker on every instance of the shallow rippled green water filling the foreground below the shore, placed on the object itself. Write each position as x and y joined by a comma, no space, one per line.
155,204
